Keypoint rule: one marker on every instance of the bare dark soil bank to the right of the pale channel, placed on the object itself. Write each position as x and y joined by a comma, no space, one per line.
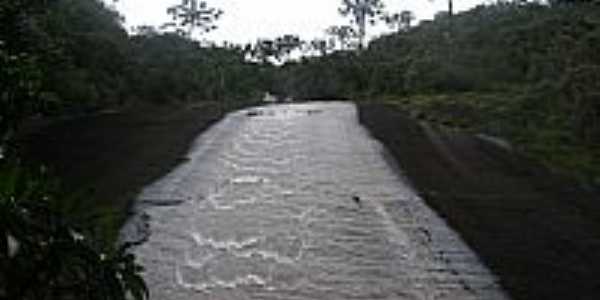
539,232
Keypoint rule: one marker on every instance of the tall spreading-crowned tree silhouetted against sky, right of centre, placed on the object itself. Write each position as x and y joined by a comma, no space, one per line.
362,13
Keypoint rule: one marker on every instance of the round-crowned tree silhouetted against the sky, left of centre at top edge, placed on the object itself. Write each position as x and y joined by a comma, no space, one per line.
193,14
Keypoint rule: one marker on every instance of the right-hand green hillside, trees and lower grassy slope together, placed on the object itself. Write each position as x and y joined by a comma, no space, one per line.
529,72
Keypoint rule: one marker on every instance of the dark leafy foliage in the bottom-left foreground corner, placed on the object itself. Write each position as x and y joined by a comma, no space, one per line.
46,255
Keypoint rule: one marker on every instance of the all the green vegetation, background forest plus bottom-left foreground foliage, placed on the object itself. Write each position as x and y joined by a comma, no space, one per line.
528,72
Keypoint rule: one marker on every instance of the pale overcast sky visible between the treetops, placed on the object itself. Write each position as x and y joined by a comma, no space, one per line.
247,20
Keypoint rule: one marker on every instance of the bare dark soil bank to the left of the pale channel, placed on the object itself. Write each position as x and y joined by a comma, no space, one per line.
107,158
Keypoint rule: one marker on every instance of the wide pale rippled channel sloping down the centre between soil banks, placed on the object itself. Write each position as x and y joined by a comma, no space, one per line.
297,202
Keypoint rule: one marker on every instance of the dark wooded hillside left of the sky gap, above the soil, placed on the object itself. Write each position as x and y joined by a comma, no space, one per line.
86,59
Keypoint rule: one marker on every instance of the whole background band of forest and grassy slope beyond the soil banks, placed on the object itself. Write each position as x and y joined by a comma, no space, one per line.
531,71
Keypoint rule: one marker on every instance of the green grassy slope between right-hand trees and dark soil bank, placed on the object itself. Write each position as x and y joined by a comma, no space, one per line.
543,136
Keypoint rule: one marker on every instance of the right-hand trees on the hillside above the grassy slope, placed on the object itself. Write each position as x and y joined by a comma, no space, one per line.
487,48
